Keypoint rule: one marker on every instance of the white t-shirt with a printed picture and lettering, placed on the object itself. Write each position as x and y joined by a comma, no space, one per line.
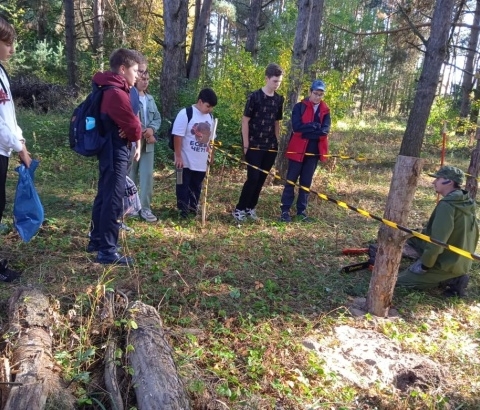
195,137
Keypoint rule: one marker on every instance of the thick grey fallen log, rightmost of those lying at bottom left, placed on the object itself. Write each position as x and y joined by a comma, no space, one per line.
157,383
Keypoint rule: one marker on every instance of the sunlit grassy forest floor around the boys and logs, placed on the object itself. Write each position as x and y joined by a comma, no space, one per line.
239,299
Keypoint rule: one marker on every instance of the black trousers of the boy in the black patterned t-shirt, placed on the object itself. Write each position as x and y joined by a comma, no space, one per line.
255,179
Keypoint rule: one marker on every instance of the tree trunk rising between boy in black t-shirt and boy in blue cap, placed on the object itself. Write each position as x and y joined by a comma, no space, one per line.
296,76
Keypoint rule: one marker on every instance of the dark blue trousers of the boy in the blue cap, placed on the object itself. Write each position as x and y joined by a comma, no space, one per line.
305,171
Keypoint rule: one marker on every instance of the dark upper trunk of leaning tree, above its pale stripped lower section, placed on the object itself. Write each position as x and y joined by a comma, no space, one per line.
435,54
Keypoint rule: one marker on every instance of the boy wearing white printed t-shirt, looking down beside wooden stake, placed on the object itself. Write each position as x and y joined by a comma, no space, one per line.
190,141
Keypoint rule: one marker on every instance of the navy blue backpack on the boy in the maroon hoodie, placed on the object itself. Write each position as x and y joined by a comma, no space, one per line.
86,134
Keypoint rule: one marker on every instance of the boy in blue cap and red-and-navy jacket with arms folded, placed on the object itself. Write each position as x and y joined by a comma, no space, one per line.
311,124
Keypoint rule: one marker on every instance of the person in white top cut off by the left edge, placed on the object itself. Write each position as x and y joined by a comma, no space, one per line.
11,138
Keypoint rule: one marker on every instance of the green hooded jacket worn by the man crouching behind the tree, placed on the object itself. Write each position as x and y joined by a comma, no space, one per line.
453,221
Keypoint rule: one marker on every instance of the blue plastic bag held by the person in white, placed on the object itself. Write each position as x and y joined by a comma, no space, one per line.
27,209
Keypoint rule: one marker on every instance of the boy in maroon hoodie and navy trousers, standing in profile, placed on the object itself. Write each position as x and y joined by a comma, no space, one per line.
121,126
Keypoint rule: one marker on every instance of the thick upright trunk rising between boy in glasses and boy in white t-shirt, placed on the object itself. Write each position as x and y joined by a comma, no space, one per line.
175,14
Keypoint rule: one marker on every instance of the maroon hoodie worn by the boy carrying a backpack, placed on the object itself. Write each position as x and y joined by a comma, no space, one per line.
116,104
